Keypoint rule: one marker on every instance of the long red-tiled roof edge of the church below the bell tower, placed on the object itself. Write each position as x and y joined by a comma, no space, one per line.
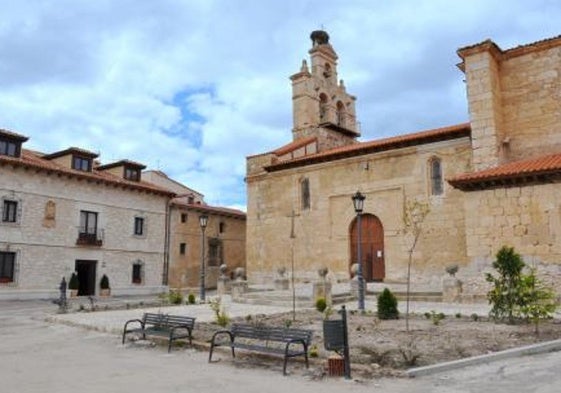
361,148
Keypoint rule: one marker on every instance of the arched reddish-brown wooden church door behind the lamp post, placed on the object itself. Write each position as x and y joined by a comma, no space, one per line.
371,246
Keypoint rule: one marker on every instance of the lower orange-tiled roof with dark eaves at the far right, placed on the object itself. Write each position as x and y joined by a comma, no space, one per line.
536,170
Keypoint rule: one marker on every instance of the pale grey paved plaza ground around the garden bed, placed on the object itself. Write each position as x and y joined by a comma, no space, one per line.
42,351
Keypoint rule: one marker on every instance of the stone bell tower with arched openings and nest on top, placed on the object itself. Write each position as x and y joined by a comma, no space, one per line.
320,103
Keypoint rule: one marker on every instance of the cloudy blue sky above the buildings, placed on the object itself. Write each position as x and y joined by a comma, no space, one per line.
193,87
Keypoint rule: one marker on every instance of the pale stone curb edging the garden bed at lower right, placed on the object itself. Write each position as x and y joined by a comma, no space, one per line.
549,346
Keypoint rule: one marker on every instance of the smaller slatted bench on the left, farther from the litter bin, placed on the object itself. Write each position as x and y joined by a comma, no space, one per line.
174,327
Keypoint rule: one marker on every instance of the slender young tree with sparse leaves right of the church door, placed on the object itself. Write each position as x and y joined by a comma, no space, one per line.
413,218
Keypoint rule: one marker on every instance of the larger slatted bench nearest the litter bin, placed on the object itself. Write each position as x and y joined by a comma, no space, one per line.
265,339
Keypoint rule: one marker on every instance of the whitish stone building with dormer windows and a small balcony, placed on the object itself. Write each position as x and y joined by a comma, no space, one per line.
63,212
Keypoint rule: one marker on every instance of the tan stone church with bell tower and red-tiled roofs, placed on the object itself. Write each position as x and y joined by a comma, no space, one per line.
492,181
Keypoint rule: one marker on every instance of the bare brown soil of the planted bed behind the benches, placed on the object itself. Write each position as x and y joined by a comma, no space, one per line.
383,348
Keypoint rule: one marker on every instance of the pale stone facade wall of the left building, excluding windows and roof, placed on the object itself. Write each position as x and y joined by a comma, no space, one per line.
46,247
